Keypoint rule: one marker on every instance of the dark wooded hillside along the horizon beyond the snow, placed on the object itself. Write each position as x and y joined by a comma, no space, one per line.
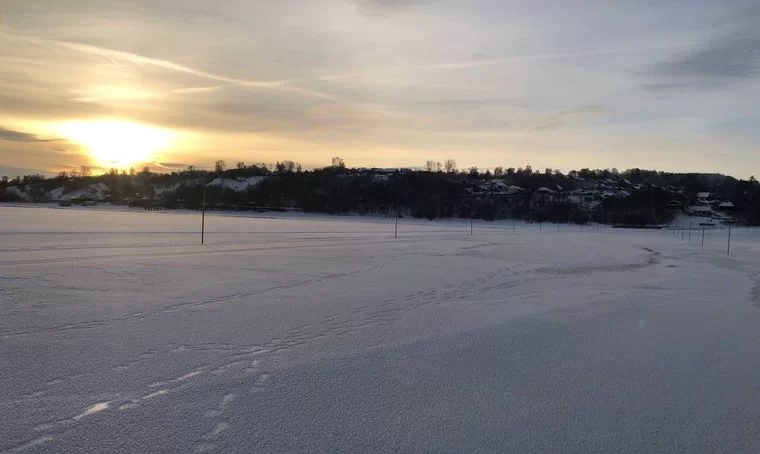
441,190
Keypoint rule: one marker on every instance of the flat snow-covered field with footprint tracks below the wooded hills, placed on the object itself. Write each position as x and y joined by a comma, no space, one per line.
120,333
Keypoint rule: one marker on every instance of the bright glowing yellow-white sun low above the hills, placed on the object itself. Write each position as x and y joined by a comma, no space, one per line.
115,143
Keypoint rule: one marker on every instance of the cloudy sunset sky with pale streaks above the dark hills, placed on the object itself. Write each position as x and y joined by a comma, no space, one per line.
669,85
